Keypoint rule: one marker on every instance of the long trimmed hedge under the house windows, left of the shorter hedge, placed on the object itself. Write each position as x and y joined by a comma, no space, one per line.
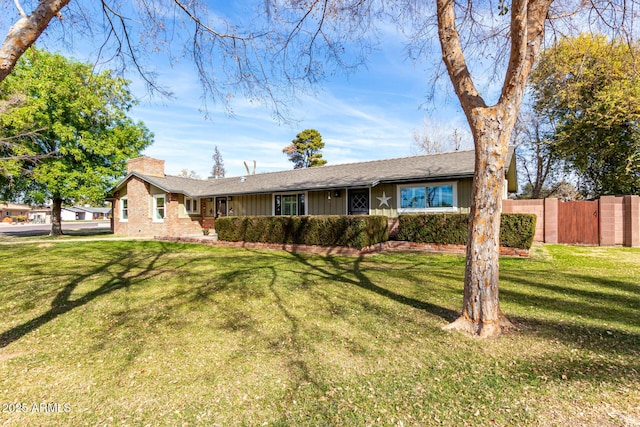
327,230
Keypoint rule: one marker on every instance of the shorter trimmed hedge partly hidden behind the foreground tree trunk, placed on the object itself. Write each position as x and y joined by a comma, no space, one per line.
516,230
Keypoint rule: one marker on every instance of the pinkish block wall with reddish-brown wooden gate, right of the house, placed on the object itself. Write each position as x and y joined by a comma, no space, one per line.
608,221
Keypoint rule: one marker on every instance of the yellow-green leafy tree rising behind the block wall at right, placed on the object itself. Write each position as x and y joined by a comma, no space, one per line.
589,87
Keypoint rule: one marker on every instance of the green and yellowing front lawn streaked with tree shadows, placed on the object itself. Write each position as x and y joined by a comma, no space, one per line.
151,333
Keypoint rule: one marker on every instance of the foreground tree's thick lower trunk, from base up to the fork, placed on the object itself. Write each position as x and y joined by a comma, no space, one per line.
481,314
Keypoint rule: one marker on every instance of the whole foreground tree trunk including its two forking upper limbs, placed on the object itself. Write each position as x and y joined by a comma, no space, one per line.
491,128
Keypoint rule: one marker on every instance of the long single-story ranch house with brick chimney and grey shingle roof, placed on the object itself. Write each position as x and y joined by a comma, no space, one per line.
148,202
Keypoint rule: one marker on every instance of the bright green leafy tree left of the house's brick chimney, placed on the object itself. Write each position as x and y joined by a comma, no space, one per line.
84,130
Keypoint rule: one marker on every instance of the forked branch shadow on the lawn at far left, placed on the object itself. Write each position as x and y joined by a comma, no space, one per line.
62,303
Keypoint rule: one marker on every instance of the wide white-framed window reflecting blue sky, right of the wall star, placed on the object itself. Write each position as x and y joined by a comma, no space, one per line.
426,197
